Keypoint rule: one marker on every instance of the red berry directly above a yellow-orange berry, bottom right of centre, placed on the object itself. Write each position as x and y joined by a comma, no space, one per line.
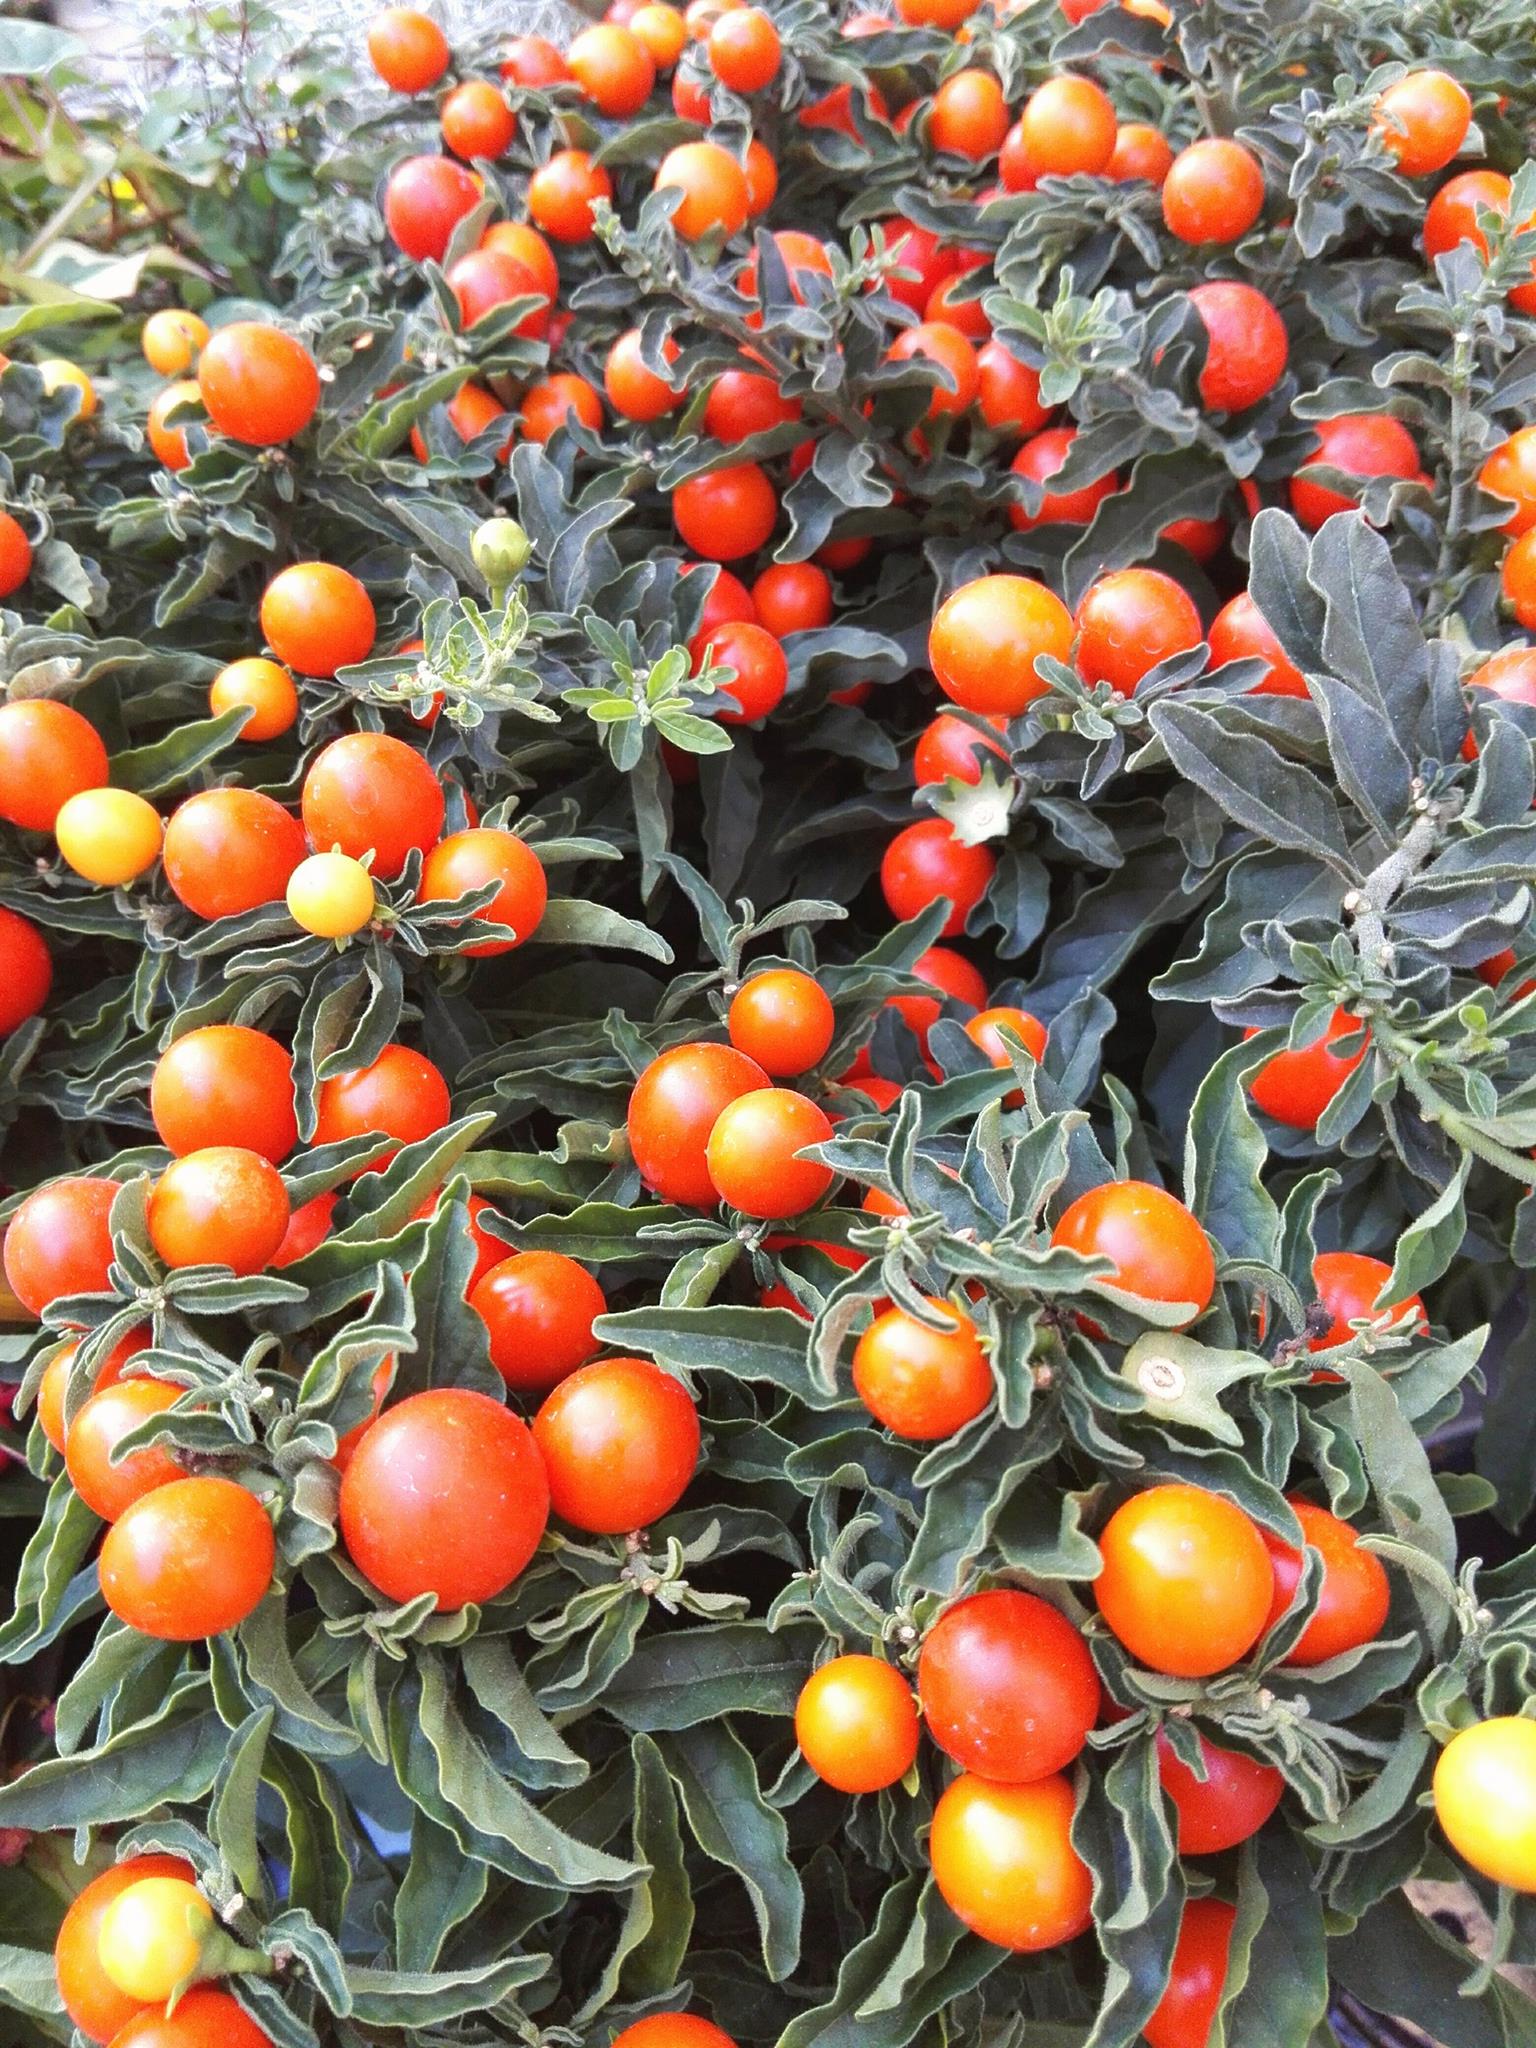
1009,1687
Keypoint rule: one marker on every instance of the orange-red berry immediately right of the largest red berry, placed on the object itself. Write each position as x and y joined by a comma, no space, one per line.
620,1441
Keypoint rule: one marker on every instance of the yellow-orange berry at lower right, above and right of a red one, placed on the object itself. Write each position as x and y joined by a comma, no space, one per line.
1187,1580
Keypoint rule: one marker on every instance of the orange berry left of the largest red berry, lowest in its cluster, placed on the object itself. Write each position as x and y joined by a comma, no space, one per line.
189,1560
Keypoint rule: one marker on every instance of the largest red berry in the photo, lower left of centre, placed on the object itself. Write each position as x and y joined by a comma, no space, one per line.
445,1496
